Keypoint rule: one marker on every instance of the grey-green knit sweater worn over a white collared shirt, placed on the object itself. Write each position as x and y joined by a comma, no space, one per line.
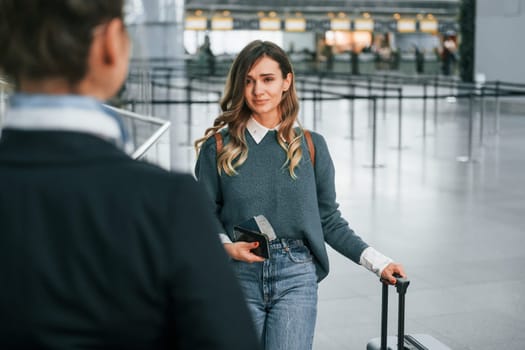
304,208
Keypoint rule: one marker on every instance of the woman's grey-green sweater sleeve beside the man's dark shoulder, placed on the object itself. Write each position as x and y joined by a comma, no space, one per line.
208,177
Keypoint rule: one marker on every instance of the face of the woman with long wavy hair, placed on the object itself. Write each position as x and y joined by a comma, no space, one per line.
264,90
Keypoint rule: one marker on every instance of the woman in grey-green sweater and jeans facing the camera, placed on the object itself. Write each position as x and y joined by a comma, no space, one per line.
265,169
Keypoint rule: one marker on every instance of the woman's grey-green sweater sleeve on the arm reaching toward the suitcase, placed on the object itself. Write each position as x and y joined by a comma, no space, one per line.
336,230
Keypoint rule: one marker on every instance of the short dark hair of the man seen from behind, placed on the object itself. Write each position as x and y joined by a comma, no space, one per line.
46,39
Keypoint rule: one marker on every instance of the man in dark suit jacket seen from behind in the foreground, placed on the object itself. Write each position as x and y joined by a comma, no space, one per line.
97,251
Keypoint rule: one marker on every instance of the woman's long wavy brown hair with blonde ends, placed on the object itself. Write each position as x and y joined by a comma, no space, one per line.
235,112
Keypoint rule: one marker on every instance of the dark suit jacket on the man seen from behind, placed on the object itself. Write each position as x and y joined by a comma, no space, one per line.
100,251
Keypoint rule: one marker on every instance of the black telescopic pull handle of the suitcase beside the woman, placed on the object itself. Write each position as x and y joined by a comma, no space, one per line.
401,287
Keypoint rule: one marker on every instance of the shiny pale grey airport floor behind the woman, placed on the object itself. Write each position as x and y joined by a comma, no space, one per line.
458,227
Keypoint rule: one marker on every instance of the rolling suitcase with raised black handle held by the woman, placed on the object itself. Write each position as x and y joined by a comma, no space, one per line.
402,341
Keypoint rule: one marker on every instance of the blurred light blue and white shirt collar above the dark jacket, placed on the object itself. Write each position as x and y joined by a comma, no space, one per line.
66,113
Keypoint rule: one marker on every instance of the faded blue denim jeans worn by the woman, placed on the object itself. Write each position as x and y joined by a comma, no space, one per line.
281,293
